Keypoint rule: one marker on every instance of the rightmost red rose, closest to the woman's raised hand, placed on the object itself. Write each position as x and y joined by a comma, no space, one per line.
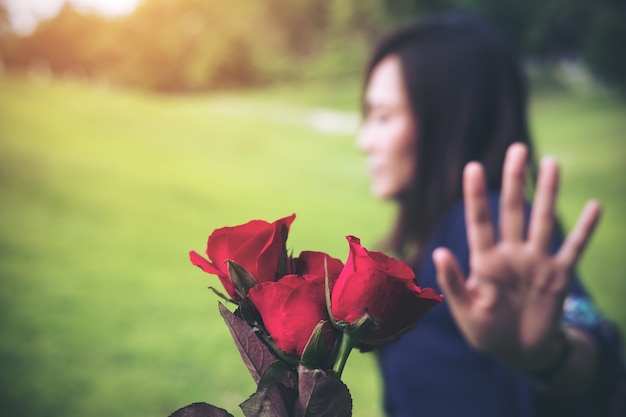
375,284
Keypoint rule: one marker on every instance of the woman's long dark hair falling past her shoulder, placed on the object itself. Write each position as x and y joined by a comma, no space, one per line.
468,95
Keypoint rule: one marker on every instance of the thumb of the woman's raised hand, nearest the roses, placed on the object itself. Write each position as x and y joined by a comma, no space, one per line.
450,277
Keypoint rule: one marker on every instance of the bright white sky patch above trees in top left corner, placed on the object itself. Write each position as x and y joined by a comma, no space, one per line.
24,14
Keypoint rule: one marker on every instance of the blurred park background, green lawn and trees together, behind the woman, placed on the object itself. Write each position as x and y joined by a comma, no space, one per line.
124,141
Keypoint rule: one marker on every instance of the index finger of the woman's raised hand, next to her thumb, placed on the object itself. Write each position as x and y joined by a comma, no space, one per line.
480,234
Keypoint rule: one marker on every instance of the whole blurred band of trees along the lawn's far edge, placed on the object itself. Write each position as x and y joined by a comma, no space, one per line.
180,45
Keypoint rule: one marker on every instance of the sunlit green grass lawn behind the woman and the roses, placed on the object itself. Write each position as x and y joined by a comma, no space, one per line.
103,193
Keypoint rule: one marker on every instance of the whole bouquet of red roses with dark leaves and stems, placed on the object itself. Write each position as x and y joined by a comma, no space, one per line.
298,318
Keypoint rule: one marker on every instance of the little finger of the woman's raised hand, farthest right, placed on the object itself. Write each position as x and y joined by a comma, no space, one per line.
578,238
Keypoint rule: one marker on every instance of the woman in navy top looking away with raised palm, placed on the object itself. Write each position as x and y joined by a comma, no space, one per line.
519,336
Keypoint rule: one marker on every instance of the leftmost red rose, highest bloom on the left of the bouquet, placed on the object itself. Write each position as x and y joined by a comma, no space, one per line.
258,246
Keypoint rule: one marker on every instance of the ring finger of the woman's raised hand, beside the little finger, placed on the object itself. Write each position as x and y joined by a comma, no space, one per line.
542,215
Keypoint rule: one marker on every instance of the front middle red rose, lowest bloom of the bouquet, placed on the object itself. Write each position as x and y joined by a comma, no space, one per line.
291,308
